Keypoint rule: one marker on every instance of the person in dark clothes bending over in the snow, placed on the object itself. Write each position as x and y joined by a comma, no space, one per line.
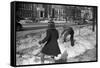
68,31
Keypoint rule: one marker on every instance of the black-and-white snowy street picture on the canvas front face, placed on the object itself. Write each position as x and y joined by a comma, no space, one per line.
47,33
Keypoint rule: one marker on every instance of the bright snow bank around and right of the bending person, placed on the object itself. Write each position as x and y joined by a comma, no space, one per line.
84,41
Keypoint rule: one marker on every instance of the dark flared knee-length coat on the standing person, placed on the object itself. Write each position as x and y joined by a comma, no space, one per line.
51,47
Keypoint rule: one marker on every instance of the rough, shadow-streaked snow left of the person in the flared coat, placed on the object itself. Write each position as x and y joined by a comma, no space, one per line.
27,48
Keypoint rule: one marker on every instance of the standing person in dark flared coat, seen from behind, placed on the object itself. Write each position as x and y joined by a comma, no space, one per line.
51,47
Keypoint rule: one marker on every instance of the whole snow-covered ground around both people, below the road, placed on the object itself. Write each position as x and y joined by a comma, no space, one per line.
28,49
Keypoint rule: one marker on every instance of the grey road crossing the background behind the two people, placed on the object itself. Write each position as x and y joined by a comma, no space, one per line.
44,25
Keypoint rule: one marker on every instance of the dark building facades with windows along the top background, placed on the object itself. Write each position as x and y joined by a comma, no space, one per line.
45,11
